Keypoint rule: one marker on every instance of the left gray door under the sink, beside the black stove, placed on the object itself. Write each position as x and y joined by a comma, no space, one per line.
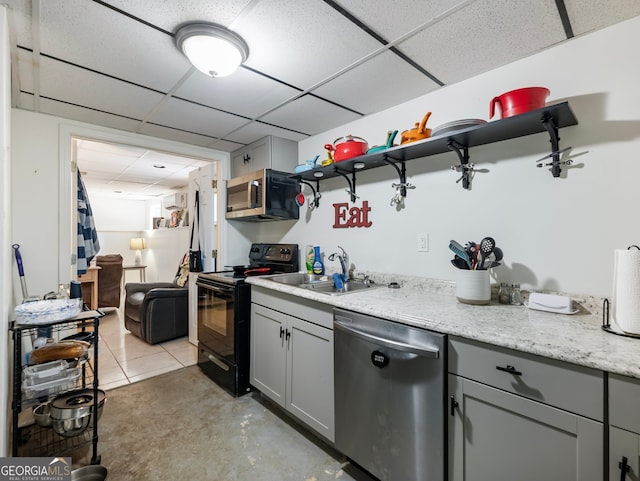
268,355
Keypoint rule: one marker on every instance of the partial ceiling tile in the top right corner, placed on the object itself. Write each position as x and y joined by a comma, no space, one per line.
589,15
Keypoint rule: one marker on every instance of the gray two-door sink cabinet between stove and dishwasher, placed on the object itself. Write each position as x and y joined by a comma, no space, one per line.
292,357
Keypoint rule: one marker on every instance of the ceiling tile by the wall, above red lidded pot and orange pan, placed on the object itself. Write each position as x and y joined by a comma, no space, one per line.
373,86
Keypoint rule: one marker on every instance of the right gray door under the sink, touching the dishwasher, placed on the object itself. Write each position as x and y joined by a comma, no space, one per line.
310,375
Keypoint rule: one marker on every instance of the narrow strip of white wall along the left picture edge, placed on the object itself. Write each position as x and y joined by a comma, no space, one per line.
5,224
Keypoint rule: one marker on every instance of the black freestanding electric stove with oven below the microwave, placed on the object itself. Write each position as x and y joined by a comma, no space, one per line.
224,314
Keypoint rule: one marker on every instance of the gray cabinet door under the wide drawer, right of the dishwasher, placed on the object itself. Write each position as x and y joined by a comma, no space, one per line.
497,435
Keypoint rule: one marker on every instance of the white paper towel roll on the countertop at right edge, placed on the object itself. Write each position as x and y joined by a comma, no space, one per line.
626,290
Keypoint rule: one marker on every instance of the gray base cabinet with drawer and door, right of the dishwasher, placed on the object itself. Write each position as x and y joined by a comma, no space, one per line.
518,416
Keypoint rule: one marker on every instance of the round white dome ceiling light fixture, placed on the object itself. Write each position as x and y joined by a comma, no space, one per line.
212,49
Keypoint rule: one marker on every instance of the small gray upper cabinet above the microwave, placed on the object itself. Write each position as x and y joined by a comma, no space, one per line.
266,153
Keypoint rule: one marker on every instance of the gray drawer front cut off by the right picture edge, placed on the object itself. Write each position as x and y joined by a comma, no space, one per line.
624,402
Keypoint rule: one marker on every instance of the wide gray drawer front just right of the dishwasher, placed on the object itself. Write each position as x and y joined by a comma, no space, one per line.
573,388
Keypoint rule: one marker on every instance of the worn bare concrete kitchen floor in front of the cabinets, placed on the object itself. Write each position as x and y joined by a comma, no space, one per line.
181,425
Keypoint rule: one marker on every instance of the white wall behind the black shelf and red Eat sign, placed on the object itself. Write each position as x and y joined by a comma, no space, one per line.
556,234
